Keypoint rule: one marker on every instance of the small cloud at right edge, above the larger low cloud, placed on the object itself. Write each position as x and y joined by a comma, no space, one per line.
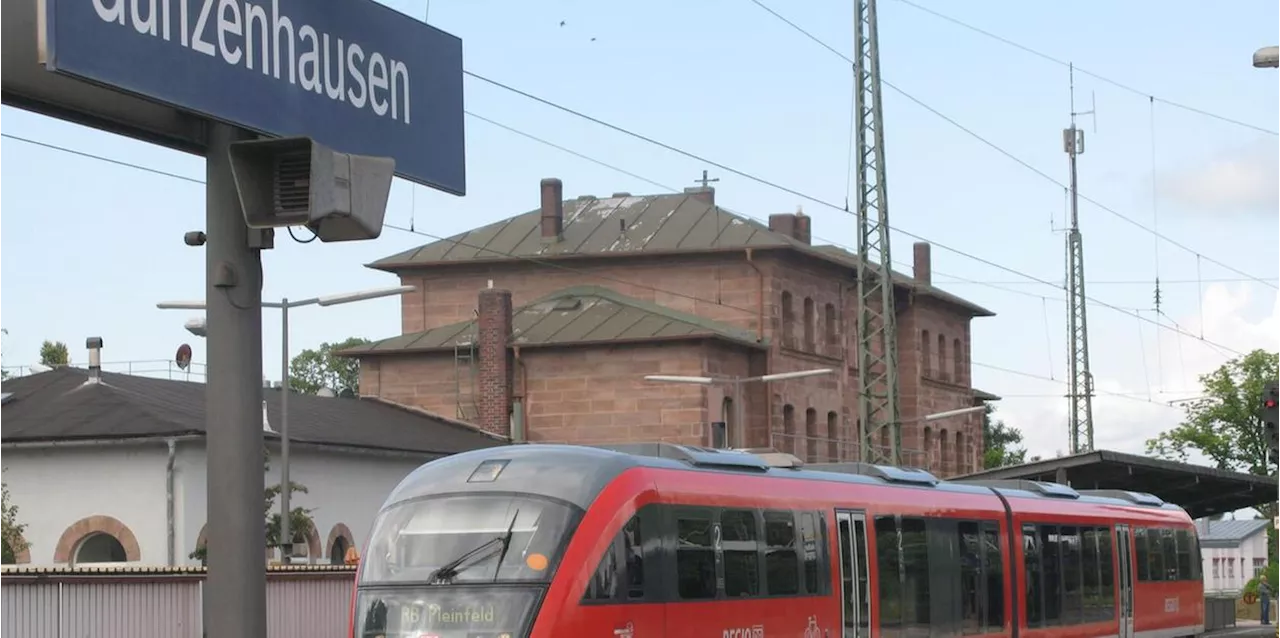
1244,181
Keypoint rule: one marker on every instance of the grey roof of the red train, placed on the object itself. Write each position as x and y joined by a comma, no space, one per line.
579,473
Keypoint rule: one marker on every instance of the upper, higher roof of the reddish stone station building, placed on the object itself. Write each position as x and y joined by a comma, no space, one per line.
651,225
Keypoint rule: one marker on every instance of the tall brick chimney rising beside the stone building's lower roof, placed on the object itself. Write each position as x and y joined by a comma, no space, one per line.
493,329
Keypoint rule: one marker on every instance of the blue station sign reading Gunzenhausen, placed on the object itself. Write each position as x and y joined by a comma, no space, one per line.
354,75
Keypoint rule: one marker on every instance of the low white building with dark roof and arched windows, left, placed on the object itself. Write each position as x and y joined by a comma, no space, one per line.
111,468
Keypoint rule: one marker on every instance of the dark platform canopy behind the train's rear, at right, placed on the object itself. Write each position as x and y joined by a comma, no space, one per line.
1200,490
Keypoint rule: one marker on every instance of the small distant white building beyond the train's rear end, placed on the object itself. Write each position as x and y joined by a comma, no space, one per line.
1235,552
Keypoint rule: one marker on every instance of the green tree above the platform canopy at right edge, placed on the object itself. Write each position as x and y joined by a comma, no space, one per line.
1223,425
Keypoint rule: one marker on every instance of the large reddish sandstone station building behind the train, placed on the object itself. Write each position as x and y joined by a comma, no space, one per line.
550,321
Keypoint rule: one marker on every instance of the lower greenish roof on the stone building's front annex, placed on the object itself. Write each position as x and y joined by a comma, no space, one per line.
583,315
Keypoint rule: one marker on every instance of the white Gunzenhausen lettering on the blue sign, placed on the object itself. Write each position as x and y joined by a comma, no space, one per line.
241,33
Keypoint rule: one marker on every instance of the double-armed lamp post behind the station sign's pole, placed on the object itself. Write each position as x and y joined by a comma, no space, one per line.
198,329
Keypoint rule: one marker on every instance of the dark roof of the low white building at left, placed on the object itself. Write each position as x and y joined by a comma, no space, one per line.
62,405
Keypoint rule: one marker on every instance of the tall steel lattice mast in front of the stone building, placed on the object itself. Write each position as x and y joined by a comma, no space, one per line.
877,334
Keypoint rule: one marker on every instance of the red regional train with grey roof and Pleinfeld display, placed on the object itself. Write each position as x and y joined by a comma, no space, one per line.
656,540
